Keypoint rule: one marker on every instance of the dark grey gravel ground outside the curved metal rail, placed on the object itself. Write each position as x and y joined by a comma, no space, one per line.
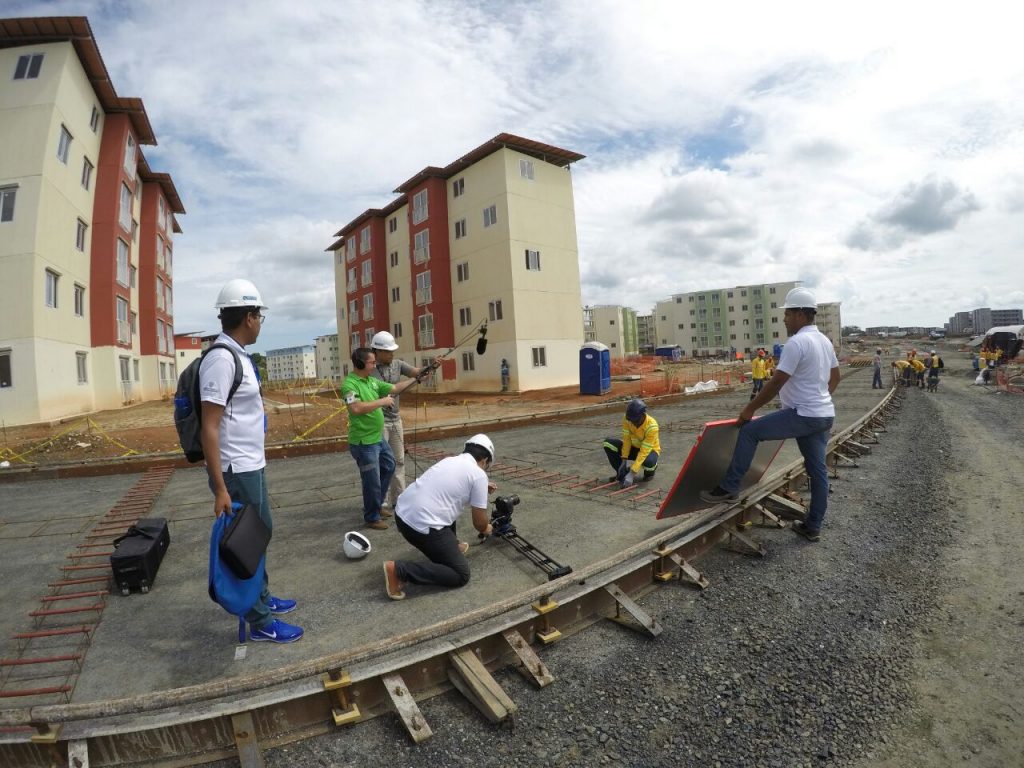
892,643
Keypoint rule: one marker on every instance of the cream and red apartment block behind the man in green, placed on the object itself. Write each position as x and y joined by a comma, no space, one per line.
487,242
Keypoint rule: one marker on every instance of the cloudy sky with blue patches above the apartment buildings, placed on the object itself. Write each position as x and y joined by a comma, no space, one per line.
873,151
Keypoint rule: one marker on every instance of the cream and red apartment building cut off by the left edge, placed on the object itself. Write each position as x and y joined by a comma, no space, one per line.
87,233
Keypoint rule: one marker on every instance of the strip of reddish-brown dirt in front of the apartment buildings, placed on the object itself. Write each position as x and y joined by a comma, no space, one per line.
308,414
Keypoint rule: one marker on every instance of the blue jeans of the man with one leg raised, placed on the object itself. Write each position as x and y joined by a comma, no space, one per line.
813,439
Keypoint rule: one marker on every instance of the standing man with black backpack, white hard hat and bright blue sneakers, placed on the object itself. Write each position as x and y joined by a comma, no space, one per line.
233,431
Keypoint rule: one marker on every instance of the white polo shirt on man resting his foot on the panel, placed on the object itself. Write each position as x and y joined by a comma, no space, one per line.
808,358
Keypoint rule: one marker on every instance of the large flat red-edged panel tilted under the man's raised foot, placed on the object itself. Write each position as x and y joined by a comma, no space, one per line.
707,464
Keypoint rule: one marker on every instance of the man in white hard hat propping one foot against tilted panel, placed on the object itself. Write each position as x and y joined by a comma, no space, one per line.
806,377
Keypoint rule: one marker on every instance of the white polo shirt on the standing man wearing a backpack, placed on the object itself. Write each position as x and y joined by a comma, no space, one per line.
243,425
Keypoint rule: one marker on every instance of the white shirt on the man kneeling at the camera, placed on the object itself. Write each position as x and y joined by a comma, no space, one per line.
438,498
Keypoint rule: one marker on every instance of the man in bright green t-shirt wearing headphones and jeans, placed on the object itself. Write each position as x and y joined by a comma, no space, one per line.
366,396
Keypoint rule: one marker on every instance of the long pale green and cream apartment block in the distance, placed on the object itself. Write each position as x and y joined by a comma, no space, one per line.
721,322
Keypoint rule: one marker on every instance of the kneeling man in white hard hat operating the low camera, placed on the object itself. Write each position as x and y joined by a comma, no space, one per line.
426,514
